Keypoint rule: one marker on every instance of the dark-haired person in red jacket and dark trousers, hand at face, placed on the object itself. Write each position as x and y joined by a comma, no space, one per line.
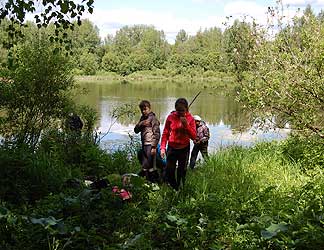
179,128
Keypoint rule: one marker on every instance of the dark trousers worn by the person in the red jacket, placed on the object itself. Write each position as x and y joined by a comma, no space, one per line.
174,176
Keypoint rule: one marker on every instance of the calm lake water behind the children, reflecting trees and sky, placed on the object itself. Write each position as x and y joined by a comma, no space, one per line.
228,124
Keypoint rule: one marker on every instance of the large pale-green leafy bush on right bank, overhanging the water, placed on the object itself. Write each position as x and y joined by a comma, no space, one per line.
286,78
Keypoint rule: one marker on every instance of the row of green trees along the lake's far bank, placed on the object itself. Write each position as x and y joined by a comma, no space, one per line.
141,48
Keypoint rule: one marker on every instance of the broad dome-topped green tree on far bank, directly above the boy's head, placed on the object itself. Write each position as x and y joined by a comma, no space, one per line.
135,48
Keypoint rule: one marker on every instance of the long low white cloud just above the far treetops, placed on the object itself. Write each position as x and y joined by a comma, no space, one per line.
109,21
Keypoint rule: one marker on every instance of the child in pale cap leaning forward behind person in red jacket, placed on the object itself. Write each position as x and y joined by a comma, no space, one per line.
201,141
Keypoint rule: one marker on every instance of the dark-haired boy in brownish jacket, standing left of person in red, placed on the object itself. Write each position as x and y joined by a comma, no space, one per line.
149,127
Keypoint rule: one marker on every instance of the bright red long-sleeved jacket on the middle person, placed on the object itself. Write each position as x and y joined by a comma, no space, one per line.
175,133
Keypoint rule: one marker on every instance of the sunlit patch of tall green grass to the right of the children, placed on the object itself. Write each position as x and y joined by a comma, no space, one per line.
244,199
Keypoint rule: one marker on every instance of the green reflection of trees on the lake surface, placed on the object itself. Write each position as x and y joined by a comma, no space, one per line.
212,105
